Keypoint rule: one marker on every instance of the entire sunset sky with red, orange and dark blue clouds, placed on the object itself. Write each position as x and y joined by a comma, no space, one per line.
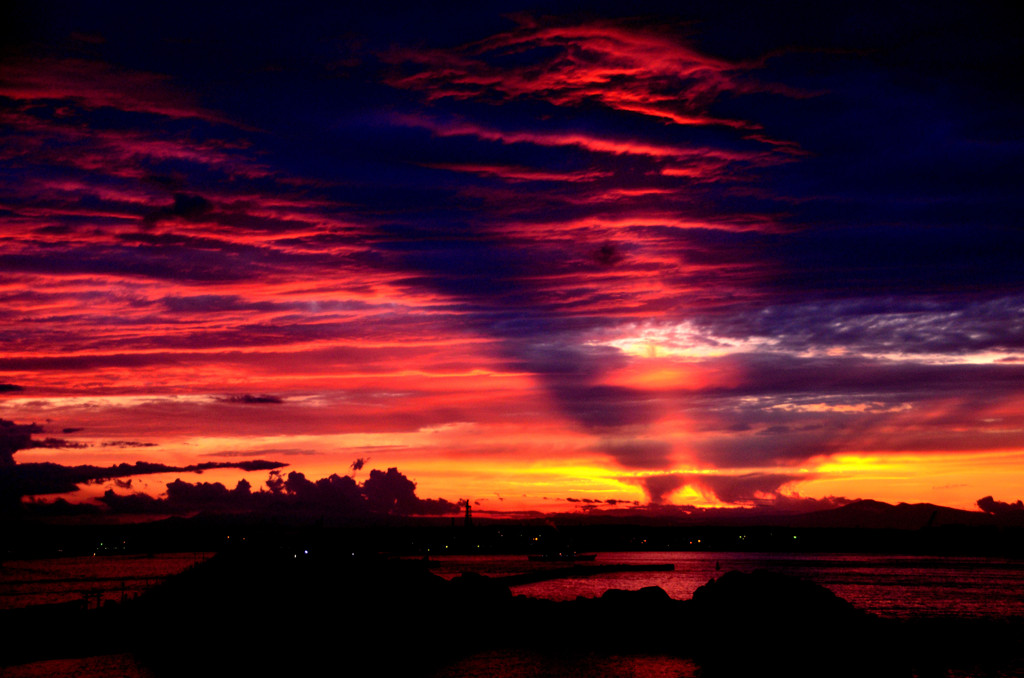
551,258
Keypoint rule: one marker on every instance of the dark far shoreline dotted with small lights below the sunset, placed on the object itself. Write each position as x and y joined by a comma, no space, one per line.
32,539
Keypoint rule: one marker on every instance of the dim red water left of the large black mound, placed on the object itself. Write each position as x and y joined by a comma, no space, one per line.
96,579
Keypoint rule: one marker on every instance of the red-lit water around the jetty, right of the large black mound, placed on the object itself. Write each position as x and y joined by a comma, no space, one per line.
898,586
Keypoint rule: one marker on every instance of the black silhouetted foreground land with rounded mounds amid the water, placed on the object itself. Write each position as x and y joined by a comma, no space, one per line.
275,612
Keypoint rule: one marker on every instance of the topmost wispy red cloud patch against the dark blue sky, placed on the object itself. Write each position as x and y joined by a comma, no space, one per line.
624,69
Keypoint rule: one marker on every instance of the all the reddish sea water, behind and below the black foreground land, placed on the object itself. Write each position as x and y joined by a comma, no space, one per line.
893,586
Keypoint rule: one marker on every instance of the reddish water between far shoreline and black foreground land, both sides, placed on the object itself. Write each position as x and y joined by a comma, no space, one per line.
893,586
